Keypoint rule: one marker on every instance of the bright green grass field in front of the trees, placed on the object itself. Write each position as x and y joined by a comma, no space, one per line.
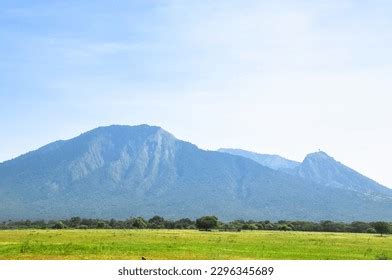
188,244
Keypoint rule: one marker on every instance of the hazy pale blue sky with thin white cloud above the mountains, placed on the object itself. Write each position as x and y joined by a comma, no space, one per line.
283,77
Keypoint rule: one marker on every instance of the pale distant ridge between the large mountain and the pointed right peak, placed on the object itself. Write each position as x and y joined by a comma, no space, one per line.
275,162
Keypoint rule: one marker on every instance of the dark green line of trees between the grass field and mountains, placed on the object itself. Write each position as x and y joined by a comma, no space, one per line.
203,223
